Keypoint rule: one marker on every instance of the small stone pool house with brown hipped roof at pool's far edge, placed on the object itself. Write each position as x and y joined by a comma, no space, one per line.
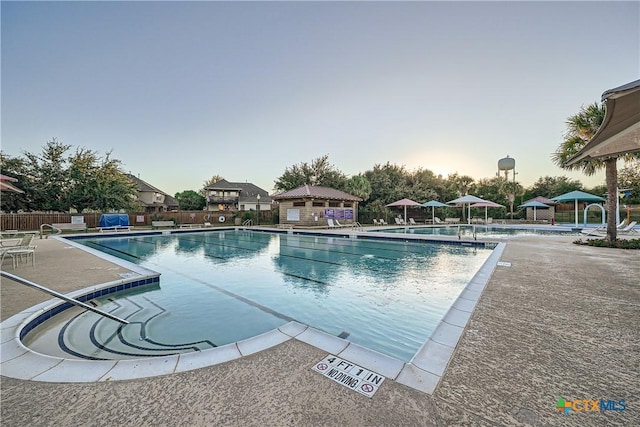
311,206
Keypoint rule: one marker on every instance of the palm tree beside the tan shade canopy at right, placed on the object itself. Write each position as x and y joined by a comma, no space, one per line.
581,128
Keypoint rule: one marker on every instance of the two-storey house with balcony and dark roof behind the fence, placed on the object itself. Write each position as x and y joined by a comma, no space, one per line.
236,196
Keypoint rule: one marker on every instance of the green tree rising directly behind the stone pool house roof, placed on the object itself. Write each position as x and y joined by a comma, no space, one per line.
320,172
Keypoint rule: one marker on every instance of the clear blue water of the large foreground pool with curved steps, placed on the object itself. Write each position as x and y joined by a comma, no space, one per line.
219,287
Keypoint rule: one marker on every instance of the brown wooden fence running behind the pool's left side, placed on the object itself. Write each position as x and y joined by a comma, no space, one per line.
32,221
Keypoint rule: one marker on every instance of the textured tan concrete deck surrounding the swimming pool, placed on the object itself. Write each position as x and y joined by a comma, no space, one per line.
560,321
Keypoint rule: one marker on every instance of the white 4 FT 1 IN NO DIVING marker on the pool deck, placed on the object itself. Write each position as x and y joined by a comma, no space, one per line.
349,375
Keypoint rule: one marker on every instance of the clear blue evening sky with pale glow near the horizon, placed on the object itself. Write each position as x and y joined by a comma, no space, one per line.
182,91
